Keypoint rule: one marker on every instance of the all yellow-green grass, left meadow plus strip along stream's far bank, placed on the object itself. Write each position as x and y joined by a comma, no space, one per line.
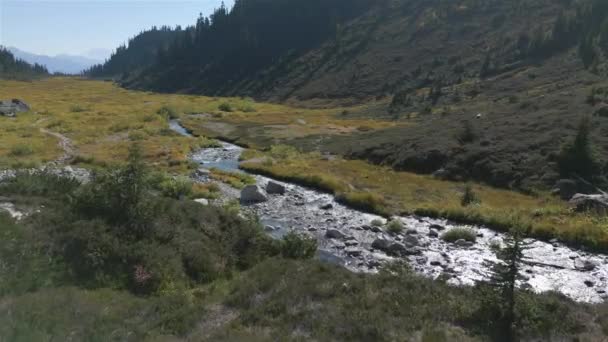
102,120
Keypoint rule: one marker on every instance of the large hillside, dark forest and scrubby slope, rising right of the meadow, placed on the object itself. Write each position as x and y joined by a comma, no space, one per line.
516,76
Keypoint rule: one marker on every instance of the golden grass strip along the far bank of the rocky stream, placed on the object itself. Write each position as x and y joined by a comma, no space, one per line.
390,192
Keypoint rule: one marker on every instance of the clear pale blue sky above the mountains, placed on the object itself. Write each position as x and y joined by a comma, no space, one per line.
77,26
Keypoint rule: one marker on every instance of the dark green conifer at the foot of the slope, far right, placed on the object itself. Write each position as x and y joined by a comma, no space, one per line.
577,156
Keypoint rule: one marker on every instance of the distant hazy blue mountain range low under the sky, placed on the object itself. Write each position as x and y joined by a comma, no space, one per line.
67,64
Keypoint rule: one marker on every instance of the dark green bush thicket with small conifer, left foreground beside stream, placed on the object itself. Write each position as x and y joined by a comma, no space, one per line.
114,231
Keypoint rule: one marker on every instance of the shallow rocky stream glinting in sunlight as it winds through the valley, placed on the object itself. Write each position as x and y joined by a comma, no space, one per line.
577,274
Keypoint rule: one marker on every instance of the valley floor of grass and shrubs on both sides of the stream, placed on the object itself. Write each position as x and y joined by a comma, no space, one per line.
240,289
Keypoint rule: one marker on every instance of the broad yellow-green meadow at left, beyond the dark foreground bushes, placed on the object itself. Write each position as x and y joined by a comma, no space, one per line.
102,120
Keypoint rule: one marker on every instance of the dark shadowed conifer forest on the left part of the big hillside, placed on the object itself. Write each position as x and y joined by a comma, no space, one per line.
240,42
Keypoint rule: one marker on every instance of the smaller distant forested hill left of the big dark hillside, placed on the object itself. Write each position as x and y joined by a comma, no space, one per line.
140,50
